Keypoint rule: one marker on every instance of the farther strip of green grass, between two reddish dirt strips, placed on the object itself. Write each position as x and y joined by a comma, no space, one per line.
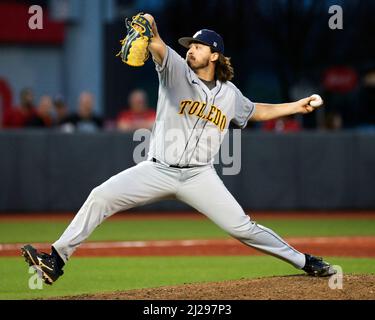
46,231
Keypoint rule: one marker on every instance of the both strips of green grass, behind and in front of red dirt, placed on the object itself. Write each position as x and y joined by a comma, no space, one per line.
90,275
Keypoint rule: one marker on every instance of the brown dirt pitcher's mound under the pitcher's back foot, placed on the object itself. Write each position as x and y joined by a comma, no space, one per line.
298,287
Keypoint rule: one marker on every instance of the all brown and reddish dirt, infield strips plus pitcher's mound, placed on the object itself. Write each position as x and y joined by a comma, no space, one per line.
296,287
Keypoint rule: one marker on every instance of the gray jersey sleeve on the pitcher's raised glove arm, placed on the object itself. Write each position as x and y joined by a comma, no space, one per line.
172,69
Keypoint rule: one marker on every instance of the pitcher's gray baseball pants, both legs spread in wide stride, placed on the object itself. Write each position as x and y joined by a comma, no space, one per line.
199,187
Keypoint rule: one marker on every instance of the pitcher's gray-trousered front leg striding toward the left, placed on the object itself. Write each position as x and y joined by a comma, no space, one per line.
135,186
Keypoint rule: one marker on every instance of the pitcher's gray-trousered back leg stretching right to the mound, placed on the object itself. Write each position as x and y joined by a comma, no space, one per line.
208,194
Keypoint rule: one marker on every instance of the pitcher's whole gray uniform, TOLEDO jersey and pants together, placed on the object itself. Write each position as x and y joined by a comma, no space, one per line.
190,125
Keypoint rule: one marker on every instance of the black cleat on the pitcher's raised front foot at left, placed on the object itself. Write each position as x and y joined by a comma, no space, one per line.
45,263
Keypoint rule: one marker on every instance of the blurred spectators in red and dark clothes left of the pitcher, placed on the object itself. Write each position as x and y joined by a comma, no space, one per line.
53,113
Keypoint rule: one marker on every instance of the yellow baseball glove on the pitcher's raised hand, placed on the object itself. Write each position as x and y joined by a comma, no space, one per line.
134,50
